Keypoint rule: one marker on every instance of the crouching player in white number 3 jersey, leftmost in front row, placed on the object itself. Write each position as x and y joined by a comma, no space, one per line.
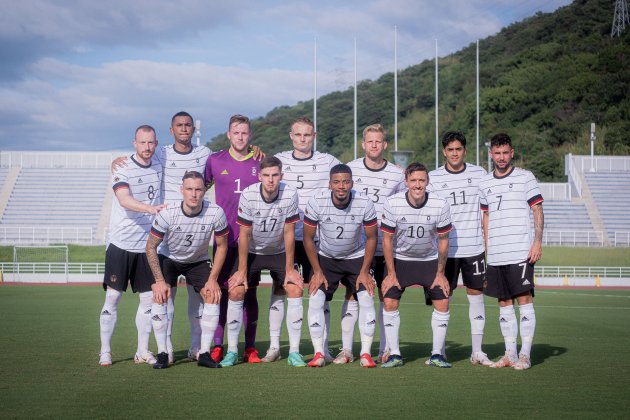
185,230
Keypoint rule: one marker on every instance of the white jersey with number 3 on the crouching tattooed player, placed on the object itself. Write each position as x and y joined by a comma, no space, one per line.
186,238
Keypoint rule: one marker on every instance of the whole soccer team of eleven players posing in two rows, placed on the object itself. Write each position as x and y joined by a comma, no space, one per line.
314,223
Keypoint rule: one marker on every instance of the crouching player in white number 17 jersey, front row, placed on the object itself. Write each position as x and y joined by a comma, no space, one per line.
267,213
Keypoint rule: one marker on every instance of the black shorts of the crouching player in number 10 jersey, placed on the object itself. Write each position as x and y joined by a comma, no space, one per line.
415,273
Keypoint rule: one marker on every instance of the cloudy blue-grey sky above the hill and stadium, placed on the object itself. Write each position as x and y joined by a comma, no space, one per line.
82,75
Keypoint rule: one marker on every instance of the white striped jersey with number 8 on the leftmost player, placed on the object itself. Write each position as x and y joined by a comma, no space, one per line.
128,229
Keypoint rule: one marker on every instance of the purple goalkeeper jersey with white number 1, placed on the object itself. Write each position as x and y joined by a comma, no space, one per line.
230,177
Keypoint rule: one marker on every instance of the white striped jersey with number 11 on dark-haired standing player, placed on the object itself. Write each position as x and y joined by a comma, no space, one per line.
461,190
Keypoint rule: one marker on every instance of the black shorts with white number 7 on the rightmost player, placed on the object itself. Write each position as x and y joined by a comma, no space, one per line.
509,281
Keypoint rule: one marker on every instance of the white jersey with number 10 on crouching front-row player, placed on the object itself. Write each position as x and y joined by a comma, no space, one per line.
416,229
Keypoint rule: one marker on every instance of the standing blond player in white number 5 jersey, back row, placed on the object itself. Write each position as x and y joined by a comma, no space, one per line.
308,171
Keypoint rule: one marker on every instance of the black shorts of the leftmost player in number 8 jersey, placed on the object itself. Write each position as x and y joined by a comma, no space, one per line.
124,267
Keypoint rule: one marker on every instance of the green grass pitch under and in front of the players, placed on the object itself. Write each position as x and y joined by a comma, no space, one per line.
49,345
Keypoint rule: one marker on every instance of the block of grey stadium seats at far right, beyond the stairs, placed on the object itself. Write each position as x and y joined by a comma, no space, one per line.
611,195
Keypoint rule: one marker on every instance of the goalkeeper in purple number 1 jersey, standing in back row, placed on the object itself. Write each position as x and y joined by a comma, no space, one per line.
232,170
